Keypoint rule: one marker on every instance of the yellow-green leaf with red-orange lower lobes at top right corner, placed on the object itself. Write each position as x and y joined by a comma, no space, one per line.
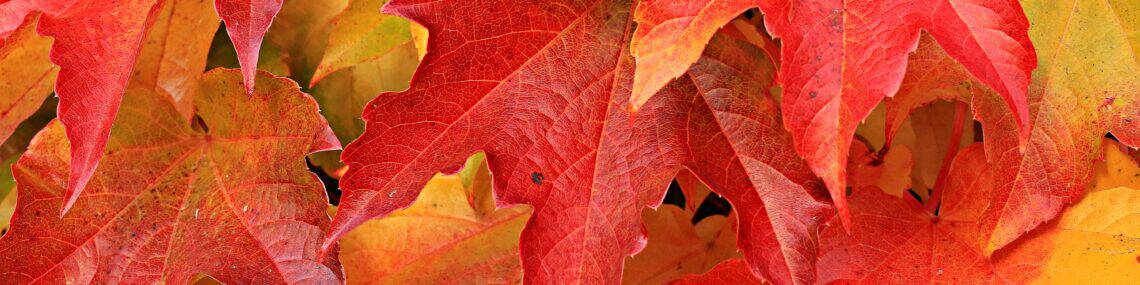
1087,87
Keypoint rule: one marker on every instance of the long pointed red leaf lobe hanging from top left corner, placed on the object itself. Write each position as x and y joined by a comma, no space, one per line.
107,34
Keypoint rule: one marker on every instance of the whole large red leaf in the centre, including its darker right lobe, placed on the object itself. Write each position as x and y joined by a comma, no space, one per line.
543,88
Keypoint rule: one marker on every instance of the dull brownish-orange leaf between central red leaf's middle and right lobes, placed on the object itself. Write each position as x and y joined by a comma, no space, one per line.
677,247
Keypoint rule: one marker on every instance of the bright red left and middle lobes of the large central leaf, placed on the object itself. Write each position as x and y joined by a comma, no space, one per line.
542,88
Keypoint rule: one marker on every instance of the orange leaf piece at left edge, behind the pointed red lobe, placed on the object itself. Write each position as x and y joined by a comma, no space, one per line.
28,76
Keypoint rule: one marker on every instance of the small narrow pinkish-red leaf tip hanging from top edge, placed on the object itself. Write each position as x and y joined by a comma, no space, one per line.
247,22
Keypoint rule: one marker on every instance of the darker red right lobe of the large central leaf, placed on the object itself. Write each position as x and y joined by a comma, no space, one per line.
738,146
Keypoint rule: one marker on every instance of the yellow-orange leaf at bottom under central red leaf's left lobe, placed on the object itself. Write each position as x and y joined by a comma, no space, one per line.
441,239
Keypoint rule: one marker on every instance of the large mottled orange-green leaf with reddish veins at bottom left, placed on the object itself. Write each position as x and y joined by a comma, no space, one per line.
177,200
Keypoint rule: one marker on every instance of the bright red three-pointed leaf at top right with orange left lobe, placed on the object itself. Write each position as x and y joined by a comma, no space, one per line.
842,58
